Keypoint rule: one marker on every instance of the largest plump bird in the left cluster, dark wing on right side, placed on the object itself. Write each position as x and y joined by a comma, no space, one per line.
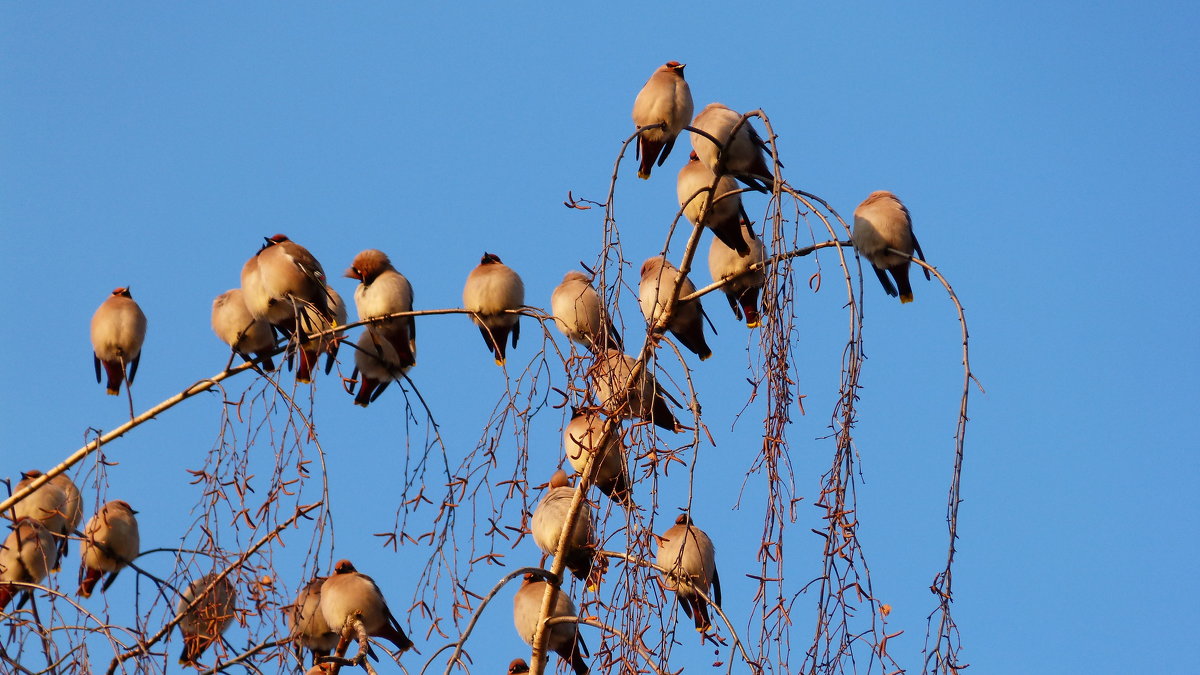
279,285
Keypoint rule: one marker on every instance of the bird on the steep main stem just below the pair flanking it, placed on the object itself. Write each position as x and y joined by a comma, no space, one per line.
611,372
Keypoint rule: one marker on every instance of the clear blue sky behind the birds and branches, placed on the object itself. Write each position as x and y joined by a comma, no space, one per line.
1040,147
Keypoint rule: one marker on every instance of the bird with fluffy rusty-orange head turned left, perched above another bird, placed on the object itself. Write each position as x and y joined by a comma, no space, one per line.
383,291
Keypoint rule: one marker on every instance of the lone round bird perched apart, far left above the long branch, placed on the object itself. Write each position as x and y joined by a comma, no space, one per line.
118,330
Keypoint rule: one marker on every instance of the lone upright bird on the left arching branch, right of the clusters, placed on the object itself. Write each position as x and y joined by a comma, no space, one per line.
491,290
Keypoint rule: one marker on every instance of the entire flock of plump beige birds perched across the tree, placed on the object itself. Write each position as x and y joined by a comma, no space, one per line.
285,292
